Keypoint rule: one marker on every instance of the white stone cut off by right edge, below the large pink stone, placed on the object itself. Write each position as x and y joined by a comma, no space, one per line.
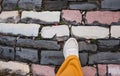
115,31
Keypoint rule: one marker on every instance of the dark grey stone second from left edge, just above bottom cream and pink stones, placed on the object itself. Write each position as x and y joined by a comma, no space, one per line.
27,55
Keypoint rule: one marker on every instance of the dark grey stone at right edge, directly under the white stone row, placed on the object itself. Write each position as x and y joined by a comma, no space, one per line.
109,45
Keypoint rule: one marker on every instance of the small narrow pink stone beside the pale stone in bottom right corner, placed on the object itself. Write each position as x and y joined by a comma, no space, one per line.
102,69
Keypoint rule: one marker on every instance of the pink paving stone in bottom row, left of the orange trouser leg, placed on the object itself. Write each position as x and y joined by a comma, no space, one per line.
40,70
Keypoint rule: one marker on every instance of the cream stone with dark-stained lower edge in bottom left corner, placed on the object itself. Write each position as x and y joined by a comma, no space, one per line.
21,69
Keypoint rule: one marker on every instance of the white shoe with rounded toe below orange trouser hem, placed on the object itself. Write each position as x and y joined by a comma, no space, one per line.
70,48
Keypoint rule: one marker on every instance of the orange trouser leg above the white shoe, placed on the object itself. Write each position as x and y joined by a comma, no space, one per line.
70,67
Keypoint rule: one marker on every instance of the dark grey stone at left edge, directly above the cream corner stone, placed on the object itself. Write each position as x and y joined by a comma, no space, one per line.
7,52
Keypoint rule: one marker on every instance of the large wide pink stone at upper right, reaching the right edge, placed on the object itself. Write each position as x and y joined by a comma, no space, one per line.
105,17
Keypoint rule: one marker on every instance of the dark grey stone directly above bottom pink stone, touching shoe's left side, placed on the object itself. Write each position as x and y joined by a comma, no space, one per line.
52,57
